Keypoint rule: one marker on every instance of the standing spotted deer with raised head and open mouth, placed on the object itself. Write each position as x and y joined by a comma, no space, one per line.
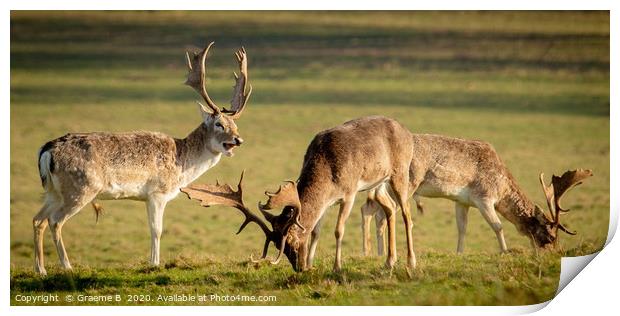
80,168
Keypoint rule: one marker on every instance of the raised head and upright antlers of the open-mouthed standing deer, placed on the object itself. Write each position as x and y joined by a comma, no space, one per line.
220,123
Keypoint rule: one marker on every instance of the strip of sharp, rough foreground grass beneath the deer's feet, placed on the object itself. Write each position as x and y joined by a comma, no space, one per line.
519,278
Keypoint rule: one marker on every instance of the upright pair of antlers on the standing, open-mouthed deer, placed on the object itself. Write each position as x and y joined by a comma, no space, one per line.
196,79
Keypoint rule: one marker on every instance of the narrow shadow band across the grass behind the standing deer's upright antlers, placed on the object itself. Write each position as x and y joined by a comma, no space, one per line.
578,104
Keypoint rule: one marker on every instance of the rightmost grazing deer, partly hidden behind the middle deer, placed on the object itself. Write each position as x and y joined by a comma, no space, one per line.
471,173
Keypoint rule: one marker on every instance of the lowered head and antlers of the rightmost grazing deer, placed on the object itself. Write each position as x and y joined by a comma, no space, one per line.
547,232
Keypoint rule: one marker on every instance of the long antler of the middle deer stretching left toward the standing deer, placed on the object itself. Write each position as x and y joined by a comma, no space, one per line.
210,195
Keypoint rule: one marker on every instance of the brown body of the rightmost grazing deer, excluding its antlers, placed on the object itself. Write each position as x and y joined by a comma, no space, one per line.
471,173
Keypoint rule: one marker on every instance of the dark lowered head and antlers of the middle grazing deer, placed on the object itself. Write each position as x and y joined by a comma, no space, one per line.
218,194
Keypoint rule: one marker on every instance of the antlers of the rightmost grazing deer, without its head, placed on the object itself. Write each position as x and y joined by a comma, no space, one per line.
557,188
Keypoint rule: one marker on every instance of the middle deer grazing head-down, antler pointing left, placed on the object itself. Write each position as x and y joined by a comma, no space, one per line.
367,153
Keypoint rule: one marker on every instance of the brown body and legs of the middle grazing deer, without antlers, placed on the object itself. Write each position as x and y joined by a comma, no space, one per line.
360,154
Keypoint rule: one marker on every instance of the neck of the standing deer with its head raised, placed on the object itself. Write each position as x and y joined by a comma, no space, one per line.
194,154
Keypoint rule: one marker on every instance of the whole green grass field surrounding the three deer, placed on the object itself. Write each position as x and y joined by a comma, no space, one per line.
534,84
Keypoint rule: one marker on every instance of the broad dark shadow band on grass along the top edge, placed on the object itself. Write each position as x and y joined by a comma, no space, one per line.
126,43
